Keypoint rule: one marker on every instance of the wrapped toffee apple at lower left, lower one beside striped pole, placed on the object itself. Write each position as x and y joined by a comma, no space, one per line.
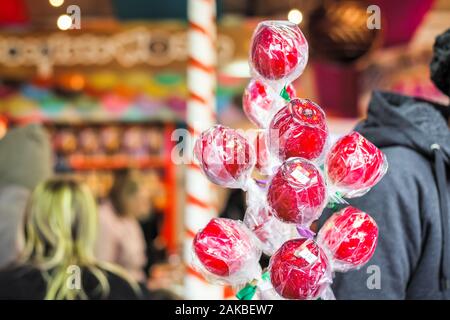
225,252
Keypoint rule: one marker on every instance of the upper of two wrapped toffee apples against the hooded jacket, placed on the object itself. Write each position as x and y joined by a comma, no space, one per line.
354,165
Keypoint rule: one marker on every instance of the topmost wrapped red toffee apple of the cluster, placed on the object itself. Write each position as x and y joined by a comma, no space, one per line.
278,50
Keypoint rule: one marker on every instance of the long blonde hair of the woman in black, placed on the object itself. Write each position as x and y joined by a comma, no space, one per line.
60,232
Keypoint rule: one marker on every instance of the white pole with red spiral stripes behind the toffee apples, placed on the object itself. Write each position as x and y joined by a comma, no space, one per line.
201,114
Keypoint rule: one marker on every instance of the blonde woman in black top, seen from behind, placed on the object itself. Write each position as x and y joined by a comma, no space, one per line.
58,259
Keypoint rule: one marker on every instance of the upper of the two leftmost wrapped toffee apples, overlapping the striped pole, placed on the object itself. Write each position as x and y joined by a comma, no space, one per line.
226,157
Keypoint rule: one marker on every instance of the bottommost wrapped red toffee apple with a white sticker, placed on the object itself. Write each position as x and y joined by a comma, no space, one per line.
300,270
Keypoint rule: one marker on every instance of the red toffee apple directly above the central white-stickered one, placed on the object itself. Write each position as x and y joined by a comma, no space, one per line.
298,130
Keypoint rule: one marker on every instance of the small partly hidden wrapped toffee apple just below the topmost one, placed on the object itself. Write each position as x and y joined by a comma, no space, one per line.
261,101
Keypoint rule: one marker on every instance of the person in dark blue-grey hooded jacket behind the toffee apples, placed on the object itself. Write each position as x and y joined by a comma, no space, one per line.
411,203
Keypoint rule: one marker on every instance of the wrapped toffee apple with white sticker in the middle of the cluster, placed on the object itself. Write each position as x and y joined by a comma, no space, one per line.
297,192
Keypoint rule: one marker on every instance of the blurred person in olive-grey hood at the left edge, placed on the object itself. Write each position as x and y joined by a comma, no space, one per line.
25,160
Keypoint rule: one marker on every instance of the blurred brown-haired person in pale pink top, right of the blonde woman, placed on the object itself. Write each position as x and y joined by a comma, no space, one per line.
121,240
